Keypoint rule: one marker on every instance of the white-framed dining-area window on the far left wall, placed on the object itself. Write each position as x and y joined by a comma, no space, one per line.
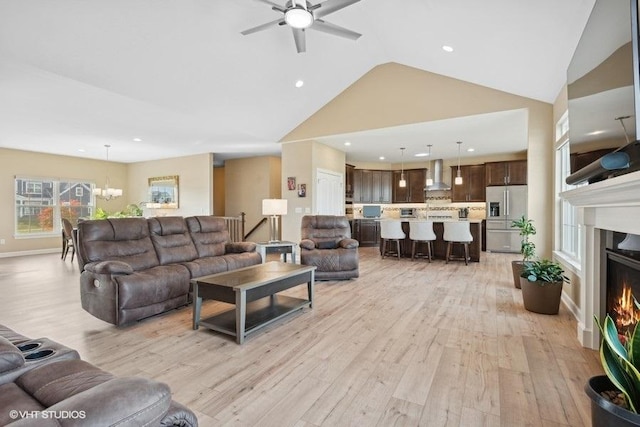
41,203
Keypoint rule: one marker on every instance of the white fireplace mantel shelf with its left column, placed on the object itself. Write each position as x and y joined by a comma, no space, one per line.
613,204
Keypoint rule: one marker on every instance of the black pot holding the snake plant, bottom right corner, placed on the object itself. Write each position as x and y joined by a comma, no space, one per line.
603,412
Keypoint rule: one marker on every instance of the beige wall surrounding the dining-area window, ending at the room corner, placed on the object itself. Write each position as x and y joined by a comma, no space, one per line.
17,162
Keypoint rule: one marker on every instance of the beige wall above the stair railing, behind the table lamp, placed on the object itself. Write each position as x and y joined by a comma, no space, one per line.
248,181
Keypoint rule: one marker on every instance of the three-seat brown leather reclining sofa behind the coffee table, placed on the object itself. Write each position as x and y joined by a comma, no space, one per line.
133,268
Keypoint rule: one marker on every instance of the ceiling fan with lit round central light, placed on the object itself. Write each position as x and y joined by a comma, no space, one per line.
300,15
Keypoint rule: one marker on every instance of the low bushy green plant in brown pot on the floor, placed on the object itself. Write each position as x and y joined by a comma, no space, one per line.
541,282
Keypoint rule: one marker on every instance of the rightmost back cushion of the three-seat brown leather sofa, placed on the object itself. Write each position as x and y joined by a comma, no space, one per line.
209,234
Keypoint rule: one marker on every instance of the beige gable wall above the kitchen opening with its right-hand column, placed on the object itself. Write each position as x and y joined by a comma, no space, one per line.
393,95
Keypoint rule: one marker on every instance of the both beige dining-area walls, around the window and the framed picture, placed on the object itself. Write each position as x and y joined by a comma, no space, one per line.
195,191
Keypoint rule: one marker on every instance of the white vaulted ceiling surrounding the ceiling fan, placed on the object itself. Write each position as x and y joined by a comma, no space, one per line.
178,75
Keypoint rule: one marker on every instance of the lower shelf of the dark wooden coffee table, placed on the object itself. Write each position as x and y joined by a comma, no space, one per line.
259,313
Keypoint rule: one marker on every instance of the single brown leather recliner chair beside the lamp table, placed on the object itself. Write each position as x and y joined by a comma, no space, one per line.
327,244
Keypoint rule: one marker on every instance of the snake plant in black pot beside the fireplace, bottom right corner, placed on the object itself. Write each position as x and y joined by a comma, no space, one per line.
615,397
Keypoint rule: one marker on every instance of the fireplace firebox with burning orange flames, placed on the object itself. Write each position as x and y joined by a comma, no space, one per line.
623,280
